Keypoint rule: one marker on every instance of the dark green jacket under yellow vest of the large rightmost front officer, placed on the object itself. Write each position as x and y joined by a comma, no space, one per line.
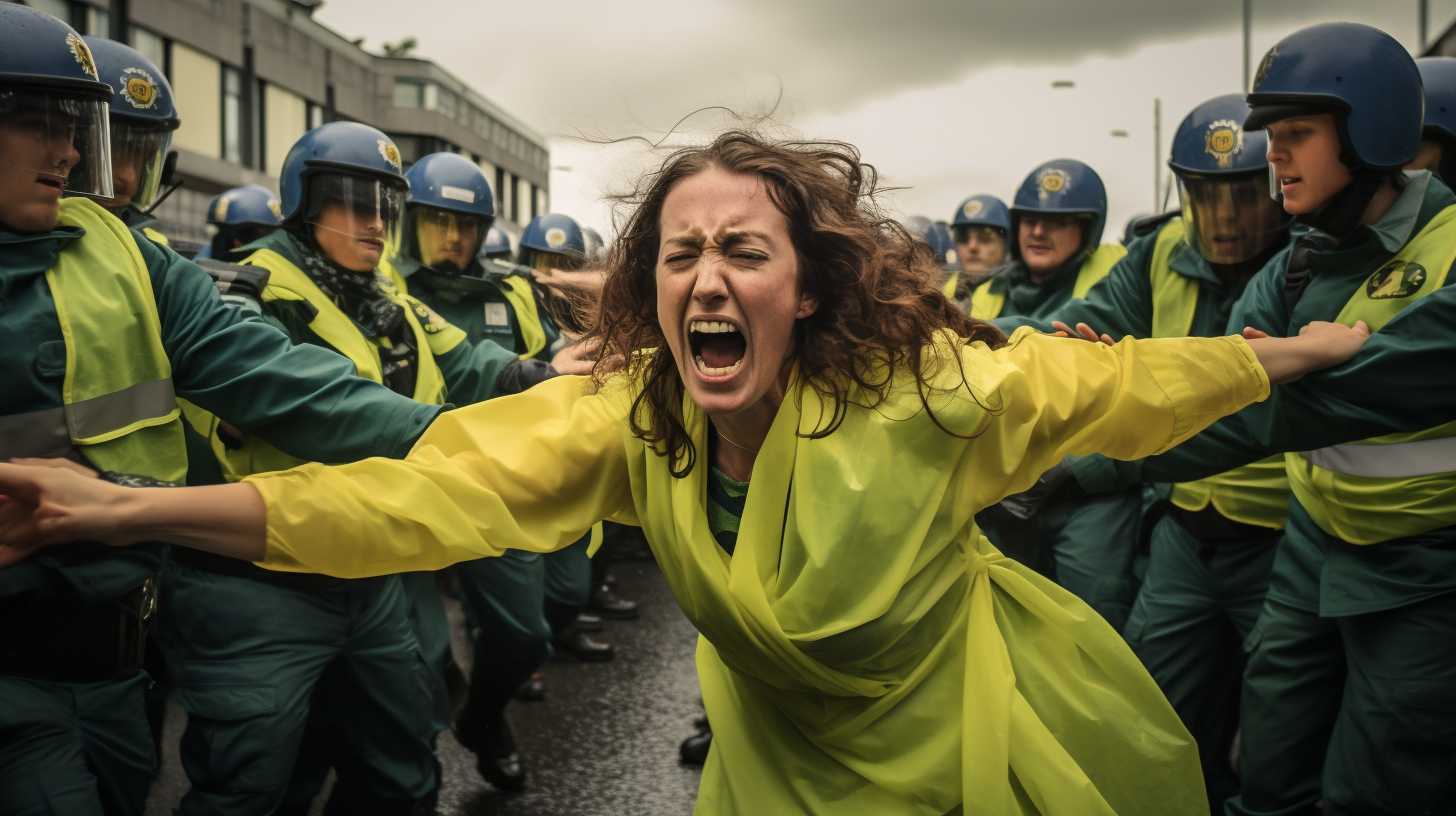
1398,382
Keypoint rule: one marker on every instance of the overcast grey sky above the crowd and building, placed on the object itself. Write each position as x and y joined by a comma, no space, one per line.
947,98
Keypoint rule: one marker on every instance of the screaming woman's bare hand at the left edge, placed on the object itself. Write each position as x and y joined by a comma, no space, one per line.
46,502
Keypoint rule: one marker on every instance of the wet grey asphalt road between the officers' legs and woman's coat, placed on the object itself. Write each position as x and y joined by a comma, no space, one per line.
605,741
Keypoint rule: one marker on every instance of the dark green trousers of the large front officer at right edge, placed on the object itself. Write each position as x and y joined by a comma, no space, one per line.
1358,710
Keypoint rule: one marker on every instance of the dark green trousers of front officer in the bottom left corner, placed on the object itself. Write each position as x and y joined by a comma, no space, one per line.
76,750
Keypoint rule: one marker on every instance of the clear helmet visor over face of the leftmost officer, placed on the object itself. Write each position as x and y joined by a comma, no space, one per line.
65,141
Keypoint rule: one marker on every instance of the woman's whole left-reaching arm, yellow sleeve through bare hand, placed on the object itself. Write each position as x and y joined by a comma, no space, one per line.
532,471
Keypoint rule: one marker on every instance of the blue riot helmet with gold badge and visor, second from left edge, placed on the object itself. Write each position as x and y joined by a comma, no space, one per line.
143,117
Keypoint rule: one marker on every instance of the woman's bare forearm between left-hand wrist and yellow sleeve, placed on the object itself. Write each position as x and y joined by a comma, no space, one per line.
226,521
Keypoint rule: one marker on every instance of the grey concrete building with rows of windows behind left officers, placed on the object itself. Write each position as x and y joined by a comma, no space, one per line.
251,76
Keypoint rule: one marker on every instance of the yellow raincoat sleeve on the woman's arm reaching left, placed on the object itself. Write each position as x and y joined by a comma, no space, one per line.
531,471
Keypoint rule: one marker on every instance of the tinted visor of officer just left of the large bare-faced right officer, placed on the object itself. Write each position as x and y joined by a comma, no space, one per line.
1231,219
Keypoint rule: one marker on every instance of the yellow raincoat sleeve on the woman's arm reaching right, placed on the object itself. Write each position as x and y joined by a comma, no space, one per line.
1053,397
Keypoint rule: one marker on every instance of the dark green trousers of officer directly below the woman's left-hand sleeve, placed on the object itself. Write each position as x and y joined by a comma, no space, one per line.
248,659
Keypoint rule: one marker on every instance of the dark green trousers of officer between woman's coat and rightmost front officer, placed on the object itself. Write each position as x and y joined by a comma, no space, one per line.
1196,610
